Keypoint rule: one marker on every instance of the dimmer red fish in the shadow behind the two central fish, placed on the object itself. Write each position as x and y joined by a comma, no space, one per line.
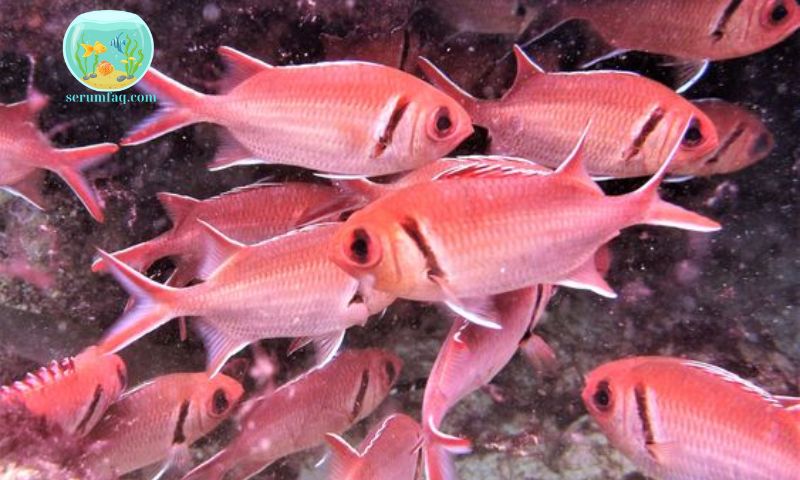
247,214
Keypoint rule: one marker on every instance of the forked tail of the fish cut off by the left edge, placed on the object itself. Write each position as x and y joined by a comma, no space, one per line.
69,164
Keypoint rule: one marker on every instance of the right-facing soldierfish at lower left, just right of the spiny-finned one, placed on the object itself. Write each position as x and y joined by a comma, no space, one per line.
157,421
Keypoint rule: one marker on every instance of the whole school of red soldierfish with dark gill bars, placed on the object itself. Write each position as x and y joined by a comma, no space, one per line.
486,237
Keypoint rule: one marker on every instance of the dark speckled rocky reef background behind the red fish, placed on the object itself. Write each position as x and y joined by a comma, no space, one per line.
730,299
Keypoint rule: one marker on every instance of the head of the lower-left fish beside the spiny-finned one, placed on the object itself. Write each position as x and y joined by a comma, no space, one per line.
211,401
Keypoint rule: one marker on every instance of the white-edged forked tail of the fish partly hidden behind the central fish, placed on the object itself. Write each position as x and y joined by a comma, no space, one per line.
151,309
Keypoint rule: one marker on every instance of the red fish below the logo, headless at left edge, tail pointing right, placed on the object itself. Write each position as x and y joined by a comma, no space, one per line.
26,154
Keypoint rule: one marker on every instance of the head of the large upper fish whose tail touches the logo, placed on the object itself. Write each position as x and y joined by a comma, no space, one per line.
440,125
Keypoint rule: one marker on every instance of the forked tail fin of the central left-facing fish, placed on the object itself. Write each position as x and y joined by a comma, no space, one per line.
659,212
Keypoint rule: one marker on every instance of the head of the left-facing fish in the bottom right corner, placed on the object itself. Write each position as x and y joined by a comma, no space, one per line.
610,398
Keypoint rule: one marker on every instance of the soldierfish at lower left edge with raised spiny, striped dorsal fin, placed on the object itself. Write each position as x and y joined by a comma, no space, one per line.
72,394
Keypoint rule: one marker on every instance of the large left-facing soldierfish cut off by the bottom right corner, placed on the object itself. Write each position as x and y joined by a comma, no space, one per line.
679,419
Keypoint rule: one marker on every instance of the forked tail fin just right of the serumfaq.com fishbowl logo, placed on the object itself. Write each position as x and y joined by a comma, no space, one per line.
178,103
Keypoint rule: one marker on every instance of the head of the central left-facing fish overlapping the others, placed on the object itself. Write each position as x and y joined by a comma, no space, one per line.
373,247
